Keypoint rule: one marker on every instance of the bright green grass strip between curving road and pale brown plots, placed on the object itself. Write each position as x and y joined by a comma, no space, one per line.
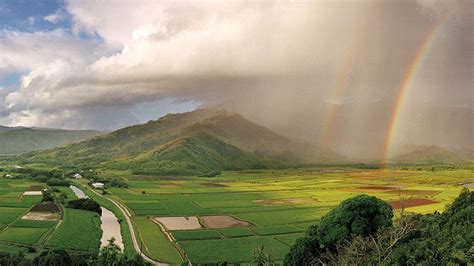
155,243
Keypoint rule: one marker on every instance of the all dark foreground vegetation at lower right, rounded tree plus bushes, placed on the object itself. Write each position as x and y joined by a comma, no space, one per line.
360,232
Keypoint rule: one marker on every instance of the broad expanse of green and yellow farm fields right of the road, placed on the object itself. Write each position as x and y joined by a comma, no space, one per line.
269,208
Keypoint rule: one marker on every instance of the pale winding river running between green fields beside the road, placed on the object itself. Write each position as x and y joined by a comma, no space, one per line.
110,225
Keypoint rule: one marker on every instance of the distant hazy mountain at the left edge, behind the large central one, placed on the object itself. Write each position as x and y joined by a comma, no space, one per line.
16,140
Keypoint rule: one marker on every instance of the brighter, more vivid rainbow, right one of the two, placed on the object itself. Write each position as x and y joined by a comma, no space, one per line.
416,62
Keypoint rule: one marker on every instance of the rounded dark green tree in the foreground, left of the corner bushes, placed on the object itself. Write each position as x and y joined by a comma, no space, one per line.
358,216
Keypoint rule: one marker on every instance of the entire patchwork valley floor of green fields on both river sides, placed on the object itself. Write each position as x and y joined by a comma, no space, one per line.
225,218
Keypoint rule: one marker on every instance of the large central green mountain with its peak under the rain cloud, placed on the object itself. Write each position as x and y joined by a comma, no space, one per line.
192,143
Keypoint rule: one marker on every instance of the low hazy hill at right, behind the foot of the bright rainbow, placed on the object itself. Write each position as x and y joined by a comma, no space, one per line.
432,154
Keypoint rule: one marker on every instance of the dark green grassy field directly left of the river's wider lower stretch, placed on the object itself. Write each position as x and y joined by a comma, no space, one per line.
80,231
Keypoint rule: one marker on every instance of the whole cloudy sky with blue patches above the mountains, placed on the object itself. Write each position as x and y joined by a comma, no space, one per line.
323,71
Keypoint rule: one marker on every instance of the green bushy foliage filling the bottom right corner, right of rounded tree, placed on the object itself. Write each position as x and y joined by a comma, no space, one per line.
445,238
